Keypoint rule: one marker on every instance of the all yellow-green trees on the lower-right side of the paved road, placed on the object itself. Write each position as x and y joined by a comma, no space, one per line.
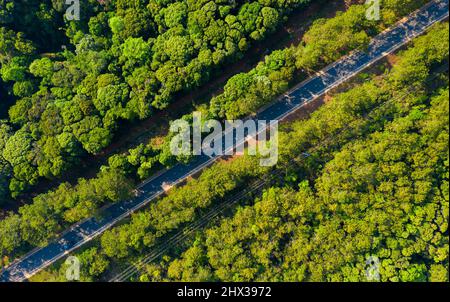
375,184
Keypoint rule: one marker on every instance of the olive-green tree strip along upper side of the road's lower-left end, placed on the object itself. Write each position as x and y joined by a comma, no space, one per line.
50,213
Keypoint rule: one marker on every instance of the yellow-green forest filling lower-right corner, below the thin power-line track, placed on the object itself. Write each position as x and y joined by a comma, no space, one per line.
384,196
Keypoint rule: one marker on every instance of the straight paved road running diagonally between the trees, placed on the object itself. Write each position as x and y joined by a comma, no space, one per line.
303,93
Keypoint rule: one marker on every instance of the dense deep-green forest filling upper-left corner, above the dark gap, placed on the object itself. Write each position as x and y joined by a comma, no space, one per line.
128,59
